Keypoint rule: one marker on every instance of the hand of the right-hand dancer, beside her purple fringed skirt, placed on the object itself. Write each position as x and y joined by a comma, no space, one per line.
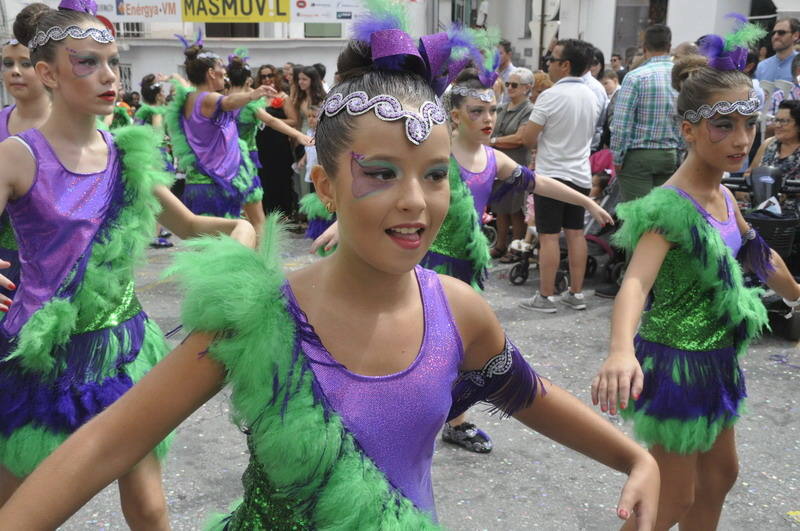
619,378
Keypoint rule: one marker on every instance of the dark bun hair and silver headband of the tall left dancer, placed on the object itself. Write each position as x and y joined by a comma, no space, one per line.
36,19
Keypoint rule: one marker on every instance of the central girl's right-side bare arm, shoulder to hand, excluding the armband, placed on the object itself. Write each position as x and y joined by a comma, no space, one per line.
559,415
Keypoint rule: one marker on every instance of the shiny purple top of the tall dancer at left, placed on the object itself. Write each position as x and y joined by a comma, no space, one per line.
55,223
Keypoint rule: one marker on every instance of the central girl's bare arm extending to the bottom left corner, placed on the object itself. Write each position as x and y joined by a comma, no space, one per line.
110,444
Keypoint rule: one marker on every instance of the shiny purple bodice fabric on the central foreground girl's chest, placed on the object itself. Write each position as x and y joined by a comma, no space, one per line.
396,418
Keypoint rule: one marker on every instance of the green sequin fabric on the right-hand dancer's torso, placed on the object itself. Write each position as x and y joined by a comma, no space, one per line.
682,314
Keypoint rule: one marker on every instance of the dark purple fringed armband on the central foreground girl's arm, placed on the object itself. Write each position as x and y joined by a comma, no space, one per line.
506,382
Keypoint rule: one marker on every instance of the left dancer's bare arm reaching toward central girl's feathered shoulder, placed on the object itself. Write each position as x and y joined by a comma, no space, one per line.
183,222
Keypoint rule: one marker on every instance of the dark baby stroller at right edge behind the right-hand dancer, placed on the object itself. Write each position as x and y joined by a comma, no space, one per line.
778,230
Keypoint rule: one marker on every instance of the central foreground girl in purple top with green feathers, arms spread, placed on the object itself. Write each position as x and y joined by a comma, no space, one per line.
342,373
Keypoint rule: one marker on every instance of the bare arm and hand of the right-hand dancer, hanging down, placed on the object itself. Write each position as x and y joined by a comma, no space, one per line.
621,377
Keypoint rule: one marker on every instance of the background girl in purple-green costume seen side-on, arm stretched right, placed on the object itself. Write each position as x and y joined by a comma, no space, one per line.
205,139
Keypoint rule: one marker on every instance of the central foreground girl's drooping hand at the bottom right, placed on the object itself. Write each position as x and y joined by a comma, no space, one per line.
640,494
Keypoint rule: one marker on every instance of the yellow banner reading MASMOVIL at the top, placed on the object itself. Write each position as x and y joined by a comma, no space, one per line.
235,10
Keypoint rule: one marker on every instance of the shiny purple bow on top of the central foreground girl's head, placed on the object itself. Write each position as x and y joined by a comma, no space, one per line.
394,49
